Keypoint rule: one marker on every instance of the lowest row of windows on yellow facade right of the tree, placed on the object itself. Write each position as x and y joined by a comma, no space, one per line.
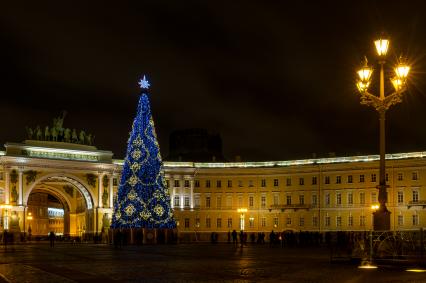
288,221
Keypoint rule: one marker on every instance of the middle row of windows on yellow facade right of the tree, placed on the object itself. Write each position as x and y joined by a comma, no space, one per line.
288,200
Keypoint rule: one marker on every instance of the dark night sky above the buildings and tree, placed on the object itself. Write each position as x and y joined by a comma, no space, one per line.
276,80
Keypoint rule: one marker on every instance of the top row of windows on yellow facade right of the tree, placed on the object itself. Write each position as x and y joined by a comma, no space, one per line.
314,181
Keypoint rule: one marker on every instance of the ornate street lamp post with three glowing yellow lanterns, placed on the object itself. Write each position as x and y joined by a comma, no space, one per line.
381,104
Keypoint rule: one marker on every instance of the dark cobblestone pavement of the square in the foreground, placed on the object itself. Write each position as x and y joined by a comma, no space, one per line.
185,263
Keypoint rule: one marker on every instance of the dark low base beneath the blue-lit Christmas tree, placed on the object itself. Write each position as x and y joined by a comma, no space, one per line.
140,236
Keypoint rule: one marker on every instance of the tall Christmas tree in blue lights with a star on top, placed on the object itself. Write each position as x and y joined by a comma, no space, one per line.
143,199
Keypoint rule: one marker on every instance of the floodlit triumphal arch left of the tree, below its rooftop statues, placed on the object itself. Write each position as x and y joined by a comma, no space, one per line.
72,179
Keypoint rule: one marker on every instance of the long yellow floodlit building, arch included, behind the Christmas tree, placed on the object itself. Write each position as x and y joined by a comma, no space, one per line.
323,194
